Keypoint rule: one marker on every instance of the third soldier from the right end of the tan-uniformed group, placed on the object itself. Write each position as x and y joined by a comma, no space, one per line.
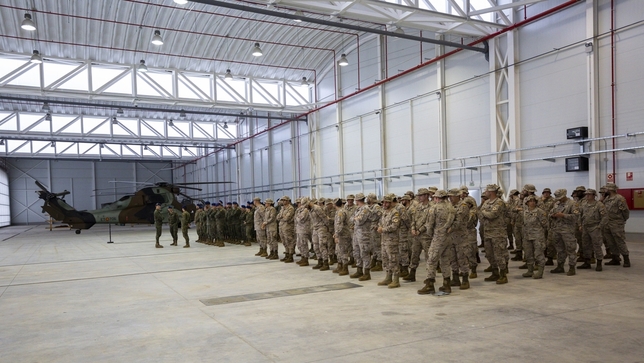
564,217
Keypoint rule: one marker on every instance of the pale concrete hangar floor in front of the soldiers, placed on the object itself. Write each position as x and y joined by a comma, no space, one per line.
75,298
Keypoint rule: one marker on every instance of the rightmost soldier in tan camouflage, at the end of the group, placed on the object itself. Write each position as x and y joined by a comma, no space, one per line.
618,214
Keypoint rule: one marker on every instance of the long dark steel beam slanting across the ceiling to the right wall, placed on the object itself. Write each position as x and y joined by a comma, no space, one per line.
256,10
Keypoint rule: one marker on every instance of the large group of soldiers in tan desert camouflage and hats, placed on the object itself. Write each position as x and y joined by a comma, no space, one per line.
390,234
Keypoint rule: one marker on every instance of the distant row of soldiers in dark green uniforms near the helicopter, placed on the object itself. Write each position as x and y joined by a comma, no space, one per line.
218,223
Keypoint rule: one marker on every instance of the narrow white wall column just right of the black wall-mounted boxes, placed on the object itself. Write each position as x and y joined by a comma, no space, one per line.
592,81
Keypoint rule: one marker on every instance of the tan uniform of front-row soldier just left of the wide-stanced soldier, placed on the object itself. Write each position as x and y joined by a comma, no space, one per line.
389,224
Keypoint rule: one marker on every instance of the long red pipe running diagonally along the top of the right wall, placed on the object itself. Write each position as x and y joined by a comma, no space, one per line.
398,75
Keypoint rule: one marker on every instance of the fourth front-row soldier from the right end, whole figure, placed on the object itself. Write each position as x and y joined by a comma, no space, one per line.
535,222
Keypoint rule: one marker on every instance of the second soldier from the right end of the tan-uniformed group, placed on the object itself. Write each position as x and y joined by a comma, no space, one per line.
593,218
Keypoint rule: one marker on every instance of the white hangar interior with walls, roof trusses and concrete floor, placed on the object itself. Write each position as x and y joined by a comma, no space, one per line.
305,98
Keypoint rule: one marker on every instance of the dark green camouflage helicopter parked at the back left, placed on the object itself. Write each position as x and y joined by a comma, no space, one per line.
137,208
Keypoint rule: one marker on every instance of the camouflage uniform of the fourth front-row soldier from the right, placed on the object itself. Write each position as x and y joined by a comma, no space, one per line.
535,222
